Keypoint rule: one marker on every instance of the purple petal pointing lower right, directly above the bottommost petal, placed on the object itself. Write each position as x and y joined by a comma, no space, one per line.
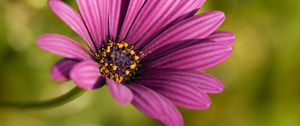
179,92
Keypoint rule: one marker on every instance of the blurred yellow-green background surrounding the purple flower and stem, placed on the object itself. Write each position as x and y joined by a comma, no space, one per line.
262,77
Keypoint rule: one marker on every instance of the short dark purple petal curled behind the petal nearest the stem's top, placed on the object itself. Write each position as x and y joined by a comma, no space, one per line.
61,69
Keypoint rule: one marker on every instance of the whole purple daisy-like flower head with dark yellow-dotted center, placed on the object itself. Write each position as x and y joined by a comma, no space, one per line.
148,52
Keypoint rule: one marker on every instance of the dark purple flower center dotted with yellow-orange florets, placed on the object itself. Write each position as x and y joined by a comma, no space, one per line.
118,61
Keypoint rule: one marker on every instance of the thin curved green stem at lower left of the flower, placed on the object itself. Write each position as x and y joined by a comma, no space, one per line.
61,100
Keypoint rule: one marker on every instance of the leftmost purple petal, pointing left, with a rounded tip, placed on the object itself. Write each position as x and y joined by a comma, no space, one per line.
63,46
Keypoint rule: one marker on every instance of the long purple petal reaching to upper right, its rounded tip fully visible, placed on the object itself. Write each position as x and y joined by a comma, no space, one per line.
197,27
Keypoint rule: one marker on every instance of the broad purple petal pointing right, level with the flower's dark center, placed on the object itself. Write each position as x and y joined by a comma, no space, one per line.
198,57
